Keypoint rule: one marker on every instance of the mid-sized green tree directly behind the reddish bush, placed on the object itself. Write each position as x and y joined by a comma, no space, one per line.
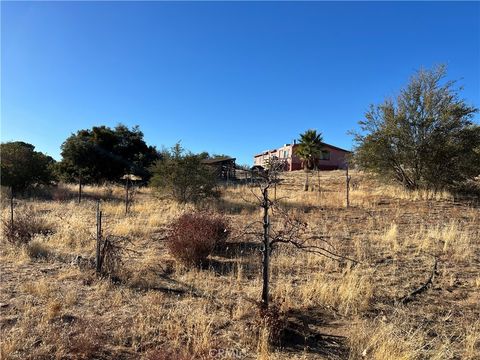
182,176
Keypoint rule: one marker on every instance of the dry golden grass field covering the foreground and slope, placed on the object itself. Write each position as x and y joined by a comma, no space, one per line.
52,306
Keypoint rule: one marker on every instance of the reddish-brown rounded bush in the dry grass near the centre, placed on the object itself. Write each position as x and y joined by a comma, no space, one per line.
193,236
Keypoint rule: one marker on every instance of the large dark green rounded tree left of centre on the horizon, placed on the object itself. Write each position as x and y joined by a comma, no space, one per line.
105,154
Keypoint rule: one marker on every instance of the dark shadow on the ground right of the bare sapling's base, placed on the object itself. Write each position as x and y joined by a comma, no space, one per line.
302,334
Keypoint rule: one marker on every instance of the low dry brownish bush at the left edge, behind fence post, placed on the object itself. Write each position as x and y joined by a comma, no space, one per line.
25,226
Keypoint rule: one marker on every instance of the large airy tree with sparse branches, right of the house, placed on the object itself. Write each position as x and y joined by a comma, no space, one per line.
425,138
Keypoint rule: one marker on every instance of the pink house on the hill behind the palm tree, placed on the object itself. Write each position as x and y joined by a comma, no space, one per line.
332,157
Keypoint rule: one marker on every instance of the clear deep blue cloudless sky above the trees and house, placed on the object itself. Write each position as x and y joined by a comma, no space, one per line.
234,78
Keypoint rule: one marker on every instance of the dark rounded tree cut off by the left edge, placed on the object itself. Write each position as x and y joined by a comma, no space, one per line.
22,166
